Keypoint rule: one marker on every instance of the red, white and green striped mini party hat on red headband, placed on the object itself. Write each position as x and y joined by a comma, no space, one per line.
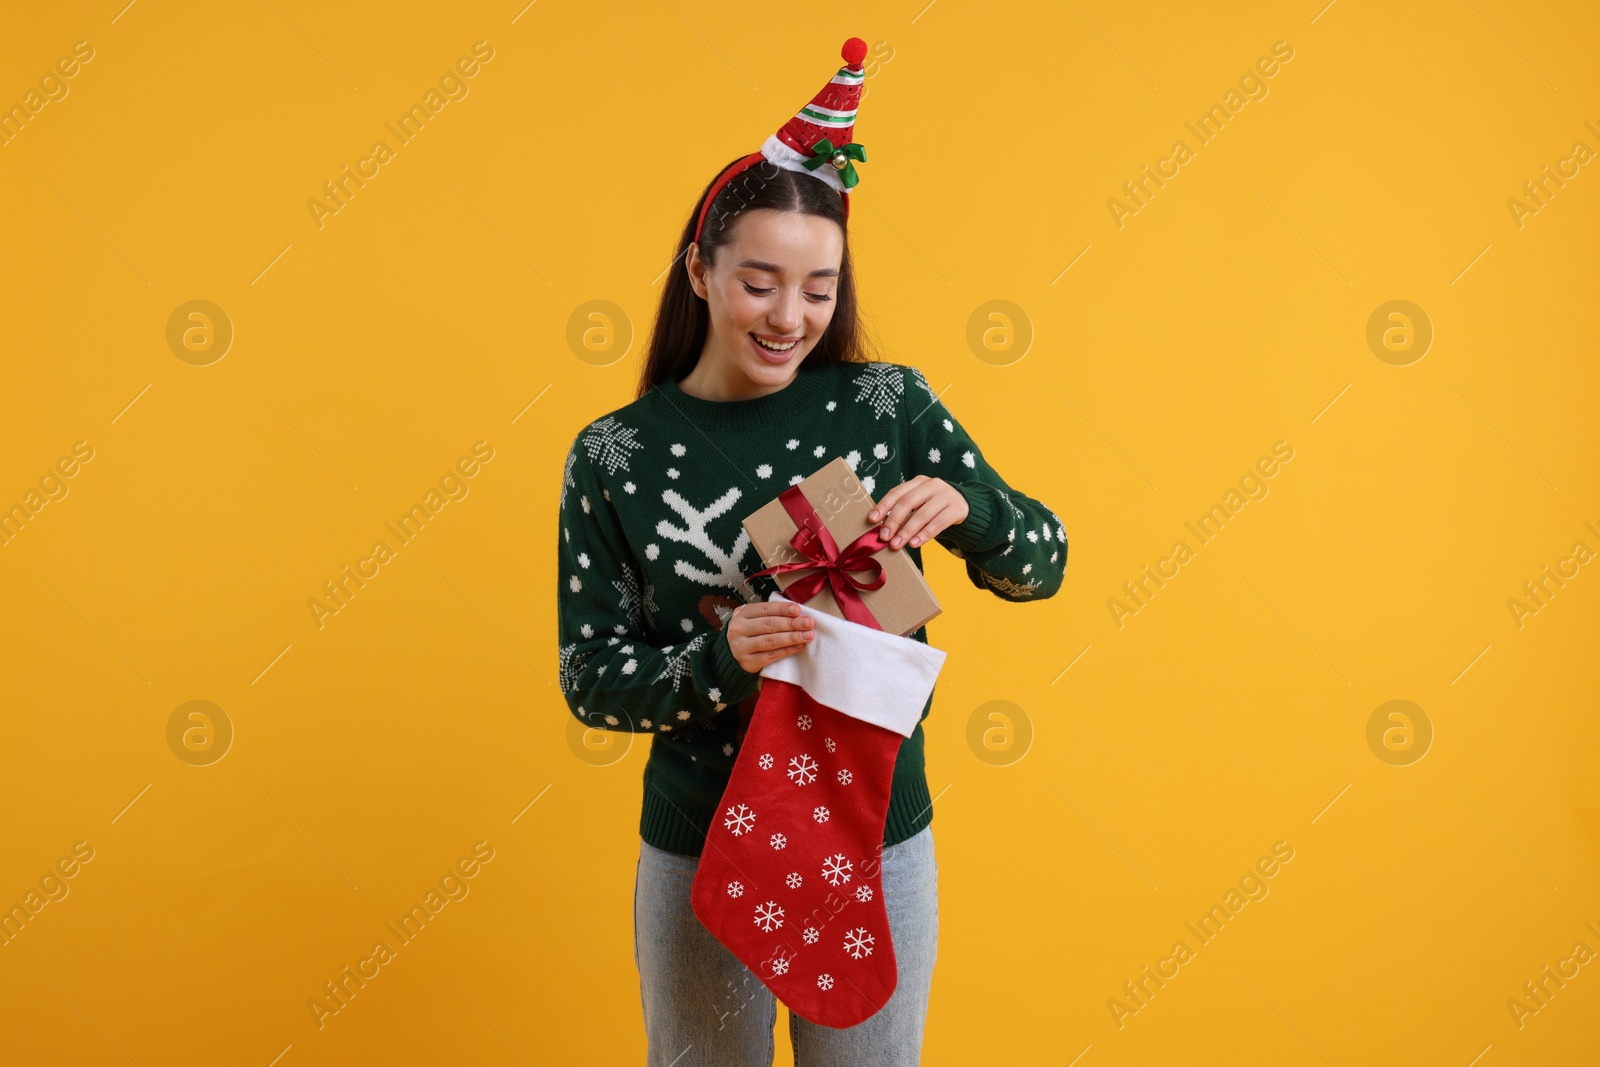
817,142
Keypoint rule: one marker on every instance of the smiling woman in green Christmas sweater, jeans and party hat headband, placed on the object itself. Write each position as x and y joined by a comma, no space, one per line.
754,380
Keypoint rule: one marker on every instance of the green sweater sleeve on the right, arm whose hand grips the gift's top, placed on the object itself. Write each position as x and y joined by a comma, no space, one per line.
1014,545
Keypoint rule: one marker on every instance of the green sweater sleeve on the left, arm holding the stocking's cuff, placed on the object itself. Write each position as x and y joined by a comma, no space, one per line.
612,676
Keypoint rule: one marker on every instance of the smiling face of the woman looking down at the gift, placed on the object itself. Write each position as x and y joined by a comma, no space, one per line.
775,282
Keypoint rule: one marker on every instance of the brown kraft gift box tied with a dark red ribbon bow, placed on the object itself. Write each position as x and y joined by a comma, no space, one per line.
822,549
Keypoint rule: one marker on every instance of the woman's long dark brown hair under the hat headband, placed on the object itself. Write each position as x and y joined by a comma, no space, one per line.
684,319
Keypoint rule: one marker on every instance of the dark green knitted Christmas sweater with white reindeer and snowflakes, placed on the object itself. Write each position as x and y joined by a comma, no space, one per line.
654,559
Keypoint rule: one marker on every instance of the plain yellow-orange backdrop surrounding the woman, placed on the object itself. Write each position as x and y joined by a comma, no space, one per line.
1135,377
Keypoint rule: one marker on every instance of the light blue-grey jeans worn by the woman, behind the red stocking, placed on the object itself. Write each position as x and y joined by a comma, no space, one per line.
705,1009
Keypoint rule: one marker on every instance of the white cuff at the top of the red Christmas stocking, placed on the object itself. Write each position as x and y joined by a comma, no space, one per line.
868,674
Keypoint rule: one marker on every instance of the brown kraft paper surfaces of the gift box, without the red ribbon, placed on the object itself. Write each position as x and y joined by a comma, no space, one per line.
841,503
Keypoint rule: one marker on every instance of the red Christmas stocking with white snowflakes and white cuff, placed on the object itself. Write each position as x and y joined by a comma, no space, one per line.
790,879
